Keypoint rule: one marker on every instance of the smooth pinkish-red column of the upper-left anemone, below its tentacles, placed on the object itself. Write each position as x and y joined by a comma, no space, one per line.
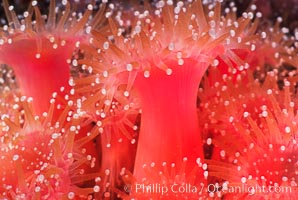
38,74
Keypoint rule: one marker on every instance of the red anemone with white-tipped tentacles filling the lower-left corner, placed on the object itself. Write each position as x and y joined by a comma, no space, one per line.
41,157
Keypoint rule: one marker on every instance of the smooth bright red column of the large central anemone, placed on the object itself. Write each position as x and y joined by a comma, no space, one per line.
169,125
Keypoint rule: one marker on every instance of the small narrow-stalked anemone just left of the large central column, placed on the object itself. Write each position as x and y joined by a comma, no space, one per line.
116,116
